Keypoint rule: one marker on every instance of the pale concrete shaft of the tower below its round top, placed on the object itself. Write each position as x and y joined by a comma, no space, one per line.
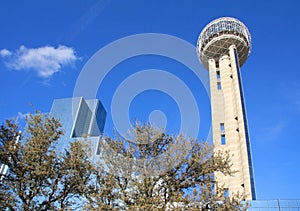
229,123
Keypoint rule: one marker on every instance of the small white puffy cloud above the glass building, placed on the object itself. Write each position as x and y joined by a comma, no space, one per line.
45,61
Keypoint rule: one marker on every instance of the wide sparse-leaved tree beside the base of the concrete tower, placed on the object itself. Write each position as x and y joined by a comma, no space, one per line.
151,170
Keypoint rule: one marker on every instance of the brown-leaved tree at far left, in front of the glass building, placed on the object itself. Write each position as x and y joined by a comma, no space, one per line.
39,178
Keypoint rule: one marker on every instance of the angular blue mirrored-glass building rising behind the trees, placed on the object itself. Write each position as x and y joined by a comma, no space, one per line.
81,120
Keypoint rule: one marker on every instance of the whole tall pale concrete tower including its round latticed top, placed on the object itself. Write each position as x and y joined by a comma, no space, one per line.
223,47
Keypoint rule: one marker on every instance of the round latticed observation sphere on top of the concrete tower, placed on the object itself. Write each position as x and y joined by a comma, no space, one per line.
216,38
